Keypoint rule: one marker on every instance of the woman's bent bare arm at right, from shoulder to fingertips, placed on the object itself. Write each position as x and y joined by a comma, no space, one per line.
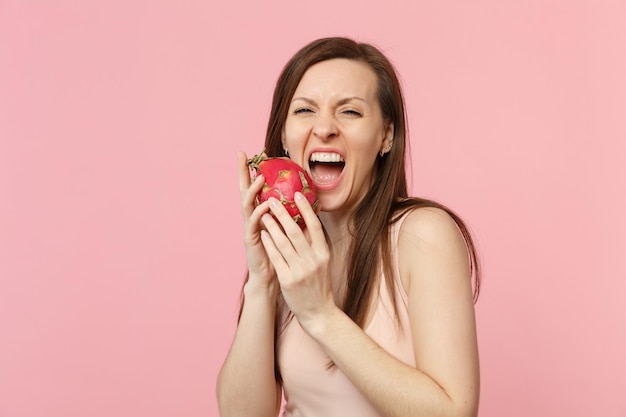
434,262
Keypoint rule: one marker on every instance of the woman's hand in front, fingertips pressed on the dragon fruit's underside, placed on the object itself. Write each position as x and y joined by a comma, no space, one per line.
301,259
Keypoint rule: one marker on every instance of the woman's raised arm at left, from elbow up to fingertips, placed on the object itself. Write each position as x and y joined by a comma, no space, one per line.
246,384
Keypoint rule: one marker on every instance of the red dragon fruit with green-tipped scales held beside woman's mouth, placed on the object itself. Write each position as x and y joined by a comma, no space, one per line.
283,178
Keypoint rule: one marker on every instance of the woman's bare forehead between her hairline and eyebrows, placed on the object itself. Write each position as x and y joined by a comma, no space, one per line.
339,77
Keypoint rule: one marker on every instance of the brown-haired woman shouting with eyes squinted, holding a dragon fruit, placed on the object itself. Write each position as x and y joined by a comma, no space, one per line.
368,311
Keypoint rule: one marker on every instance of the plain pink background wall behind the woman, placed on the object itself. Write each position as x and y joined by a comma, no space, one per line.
120,237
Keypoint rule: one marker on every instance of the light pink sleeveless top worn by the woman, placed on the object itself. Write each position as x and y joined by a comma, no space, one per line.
311,390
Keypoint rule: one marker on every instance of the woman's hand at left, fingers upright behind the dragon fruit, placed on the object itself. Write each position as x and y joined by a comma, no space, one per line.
260,268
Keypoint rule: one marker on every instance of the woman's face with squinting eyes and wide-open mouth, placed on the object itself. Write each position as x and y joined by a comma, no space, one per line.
335,130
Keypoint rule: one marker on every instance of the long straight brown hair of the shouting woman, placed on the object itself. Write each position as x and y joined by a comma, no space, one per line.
387,199
